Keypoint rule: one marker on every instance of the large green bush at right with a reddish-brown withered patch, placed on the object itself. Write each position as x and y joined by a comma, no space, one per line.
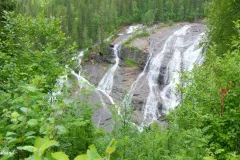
204,107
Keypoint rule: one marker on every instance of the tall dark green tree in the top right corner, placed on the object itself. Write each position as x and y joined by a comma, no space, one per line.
220,18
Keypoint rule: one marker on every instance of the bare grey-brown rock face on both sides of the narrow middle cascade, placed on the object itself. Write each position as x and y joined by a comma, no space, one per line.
124,76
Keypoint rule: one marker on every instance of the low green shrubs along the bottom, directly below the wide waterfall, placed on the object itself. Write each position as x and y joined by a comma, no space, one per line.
155,143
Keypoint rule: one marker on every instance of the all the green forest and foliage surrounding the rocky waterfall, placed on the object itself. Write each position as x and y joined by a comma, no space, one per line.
38,39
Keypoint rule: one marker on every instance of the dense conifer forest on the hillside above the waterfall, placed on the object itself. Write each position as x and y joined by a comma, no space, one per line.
104,16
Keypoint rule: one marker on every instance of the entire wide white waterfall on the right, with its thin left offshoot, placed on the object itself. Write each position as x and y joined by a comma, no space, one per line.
177,55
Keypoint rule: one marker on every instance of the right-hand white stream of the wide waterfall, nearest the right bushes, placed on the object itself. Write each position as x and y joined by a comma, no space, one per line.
185,63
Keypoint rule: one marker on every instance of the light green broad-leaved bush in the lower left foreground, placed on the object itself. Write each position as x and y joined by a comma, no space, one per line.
31,115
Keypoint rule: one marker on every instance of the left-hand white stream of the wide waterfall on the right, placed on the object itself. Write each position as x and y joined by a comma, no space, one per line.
156,70
